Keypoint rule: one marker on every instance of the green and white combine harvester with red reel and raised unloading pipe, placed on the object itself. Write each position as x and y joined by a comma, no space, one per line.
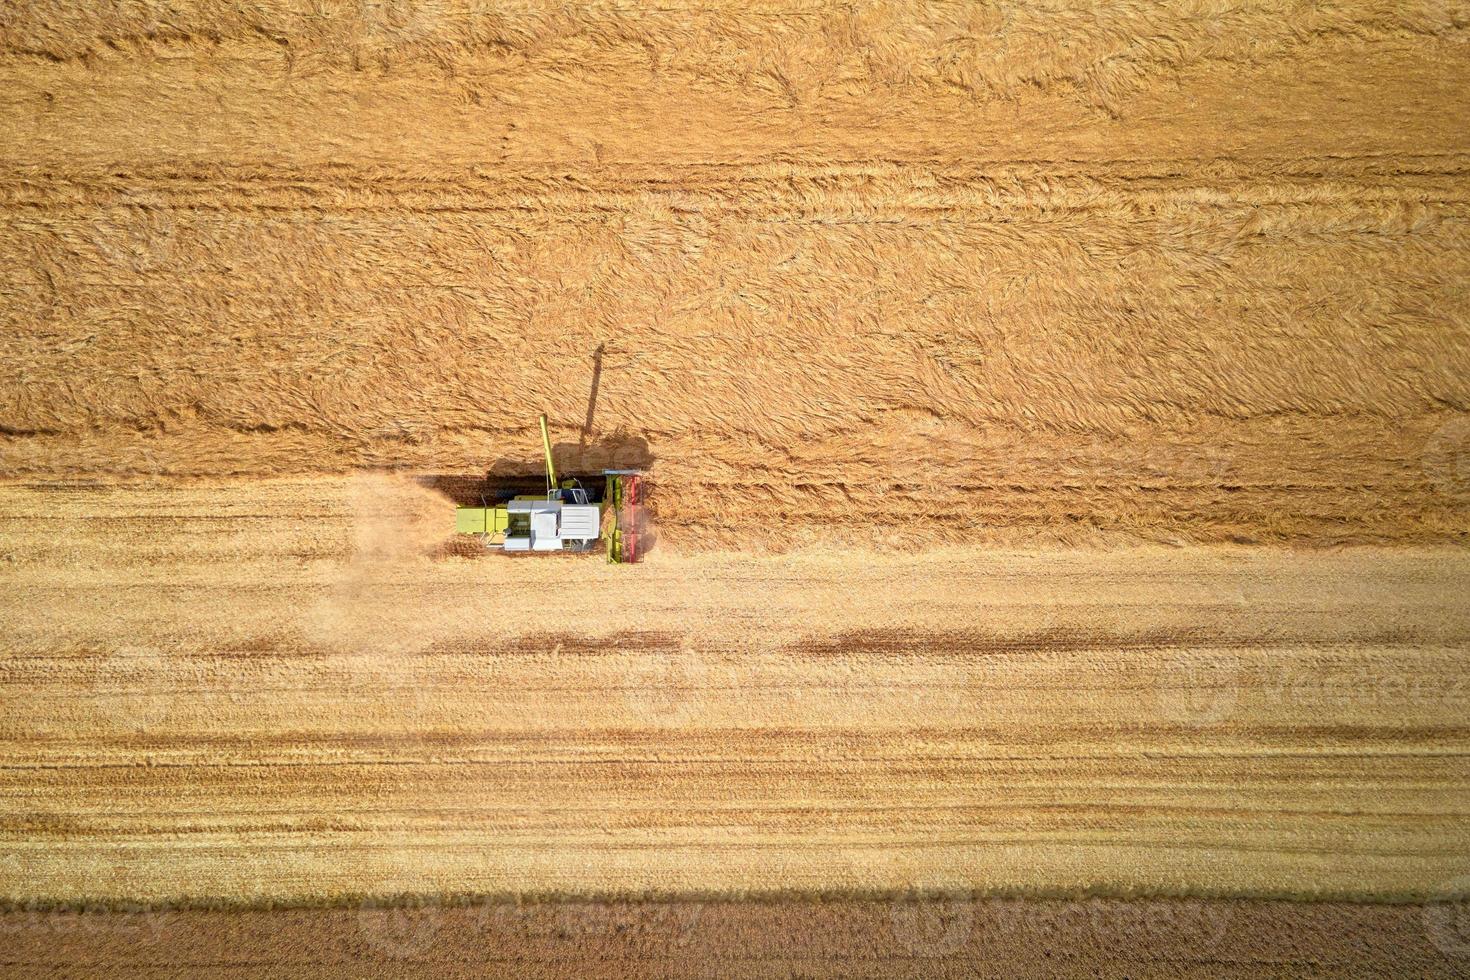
568,519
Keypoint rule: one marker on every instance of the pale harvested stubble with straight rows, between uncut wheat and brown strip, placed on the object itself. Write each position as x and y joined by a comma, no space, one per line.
331,710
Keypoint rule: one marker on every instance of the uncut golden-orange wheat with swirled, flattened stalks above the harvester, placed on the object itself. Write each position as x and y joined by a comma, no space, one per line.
1086,268
